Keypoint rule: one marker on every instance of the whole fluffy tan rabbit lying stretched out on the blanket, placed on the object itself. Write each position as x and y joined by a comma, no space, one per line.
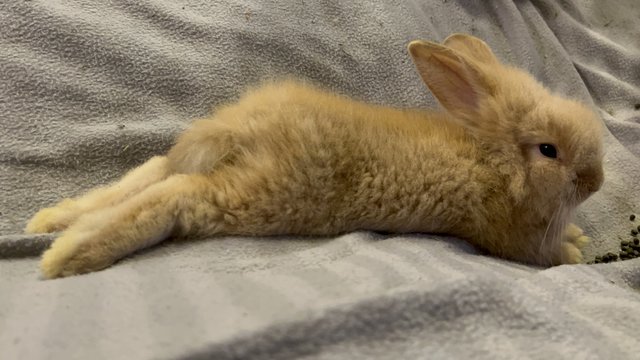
504,167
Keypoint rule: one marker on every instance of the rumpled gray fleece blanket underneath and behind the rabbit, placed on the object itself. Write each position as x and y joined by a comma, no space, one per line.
89,89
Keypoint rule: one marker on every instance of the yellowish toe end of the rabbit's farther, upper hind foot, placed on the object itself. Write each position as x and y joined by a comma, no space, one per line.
53,219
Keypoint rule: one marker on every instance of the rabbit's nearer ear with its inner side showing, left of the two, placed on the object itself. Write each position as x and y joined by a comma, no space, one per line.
454,80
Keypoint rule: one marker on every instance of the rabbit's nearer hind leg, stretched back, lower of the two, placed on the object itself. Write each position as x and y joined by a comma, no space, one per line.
176,205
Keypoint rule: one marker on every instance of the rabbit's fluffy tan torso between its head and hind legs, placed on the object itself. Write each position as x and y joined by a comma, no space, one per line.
298,160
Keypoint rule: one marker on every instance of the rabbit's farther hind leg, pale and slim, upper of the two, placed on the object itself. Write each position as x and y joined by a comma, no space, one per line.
63,214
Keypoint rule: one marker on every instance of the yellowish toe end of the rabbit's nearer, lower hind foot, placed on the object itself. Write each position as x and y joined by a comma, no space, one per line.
74,253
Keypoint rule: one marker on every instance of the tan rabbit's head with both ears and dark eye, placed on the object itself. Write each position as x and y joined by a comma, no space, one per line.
548,147
